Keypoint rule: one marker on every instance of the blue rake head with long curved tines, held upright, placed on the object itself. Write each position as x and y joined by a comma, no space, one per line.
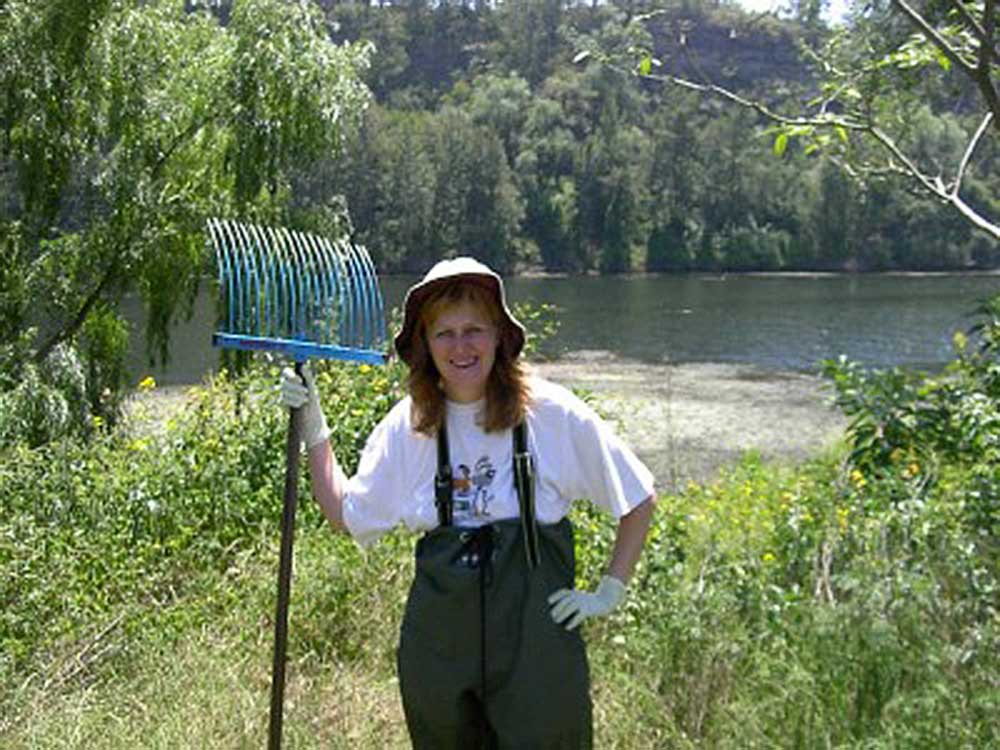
297,294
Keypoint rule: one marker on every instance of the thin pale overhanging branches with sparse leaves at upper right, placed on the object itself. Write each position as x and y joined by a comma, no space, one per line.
890,57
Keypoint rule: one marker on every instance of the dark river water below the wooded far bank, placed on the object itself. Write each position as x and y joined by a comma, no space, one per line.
777,322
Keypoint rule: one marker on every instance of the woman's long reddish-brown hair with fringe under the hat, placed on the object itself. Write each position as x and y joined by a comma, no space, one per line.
507,392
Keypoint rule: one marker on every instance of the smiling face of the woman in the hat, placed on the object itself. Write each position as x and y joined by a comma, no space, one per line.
463,343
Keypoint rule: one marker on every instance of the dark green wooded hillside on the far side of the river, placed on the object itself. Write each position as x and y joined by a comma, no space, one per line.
608,173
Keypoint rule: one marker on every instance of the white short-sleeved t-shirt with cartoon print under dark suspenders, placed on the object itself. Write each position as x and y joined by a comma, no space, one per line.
577,456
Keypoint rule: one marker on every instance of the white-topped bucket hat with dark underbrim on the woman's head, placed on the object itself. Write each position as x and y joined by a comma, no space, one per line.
464,269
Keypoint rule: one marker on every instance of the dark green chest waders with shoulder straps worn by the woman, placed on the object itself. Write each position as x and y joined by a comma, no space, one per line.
481,664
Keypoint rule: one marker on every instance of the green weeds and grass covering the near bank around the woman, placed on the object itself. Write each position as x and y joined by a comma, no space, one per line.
836,604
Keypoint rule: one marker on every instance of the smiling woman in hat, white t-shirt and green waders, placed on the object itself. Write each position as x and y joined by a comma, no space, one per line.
486,461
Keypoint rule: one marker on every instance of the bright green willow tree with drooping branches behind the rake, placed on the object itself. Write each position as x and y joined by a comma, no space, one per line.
124,126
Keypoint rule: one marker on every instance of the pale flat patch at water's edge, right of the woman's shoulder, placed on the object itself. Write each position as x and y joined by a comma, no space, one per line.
686,421
